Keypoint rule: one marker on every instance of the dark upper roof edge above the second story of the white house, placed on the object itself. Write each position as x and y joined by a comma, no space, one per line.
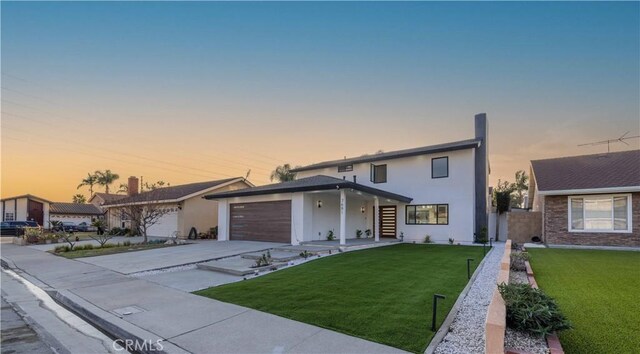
432,149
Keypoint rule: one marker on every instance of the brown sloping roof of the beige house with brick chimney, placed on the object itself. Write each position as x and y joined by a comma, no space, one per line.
172,193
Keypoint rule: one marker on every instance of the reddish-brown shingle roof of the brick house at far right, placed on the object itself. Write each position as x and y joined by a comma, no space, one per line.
611,170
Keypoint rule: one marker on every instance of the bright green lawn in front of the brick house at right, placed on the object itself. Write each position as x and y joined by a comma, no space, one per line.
599,291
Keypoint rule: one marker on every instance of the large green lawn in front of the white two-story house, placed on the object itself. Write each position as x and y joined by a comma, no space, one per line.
381,294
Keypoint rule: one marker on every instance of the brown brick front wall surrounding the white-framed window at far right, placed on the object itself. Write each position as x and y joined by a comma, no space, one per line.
556,226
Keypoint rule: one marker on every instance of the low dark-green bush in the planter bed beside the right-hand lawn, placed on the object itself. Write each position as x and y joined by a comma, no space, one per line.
531,310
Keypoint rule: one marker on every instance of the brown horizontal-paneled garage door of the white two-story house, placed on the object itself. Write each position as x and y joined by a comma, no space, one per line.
261,221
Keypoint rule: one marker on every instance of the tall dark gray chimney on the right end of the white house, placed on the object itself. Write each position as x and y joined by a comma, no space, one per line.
482,174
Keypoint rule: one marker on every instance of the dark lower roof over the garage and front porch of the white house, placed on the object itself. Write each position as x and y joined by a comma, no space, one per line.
313,183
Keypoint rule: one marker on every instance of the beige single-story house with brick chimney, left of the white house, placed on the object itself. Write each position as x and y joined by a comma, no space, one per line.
184,206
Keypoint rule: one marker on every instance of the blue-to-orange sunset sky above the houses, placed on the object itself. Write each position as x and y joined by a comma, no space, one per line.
194,91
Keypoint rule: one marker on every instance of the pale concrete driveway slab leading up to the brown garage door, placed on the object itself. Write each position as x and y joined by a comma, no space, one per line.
199,251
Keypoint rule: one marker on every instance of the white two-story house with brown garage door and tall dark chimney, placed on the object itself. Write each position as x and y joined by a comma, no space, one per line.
437,190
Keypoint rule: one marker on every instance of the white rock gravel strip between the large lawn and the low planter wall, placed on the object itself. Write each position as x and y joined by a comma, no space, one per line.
466,334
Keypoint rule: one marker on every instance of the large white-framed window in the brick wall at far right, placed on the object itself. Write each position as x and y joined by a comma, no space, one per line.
600,213
